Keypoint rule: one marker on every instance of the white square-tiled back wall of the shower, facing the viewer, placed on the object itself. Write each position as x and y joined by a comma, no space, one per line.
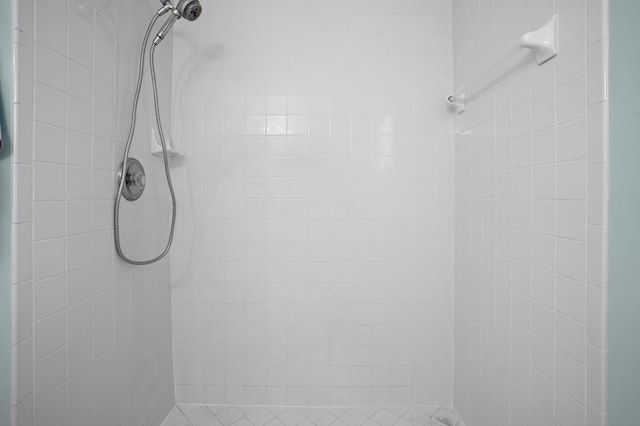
313,261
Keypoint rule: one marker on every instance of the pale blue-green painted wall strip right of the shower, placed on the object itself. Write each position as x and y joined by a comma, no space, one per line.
624,237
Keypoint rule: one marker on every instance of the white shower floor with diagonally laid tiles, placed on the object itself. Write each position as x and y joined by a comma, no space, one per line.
216,415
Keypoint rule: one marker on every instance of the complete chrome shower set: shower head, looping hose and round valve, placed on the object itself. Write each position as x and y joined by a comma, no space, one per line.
131,178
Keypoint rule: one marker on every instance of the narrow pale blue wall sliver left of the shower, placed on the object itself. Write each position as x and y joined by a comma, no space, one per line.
5,211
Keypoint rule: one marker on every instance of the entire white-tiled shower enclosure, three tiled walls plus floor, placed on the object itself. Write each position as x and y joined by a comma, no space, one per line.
348,249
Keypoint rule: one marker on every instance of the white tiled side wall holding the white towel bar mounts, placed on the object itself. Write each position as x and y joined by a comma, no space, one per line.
531,221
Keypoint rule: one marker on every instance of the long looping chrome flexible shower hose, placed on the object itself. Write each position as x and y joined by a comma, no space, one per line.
132,127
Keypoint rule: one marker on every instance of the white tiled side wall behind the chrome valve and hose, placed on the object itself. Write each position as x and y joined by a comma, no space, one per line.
92,336
